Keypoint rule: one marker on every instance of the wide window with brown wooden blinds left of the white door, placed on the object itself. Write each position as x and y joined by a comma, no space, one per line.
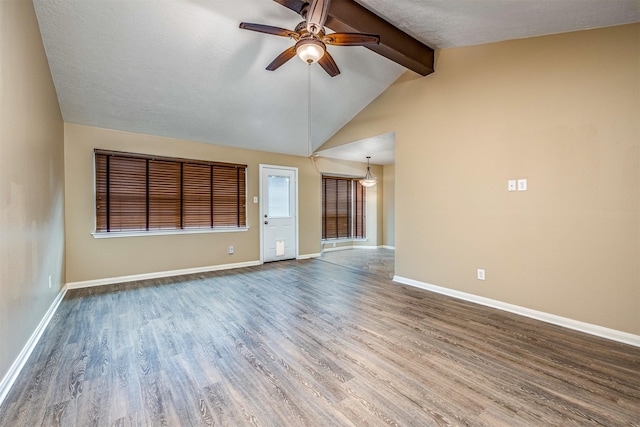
136,192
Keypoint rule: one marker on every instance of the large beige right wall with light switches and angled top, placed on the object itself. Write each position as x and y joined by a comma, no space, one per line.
562,111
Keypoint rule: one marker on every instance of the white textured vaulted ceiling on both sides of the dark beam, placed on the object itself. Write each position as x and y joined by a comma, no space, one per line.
183,68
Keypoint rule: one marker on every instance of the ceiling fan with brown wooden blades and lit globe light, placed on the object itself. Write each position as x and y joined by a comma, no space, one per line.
311,39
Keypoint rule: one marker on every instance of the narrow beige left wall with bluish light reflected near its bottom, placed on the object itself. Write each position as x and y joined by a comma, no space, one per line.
31,181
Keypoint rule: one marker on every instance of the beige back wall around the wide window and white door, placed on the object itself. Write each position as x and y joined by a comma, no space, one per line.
89,258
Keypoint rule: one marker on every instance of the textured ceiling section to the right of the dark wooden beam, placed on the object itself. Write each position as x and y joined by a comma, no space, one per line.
455,23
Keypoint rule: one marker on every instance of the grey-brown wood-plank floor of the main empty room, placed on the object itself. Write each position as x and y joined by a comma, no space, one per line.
309,343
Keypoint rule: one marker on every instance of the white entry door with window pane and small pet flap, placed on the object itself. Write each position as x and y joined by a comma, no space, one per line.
279,212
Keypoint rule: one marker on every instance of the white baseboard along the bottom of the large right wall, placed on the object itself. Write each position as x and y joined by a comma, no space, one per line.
577,325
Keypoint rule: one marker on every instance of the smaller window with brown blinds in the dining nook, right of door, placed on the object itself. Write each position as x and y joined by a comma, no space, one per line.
344,207
